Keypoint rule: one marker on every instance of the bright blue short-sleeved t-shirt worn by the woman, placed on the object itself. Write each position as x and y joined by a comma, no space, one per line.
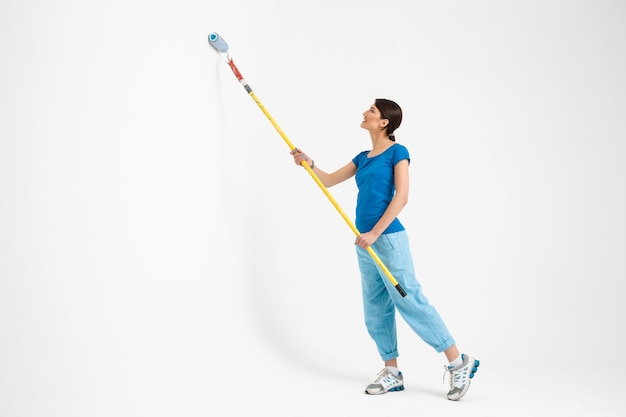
375,181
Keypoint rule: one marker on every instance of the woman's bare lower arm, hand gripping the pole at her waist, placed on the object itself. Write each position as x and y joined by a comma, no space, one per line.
399,200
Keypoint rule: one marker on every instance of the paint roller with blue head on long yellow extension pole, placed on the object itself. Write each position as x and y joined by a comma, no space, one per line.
219,44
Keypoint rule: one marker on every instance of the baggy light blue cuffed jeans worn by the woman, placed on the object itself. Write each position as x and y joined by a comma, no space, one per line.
381,298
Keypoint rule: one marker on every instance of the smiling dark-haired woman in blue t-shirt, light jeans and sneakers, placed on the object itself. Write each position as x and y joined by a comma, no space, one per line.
382,178
